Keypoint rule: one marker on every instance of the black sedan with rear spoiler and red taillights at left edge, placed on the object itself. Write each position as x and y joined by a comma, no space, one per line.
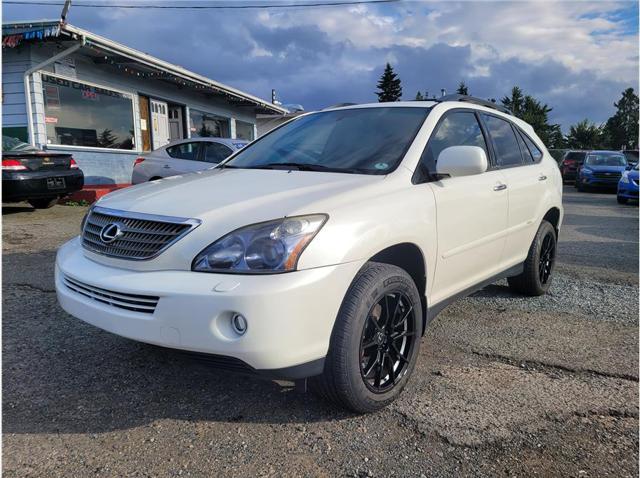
39,177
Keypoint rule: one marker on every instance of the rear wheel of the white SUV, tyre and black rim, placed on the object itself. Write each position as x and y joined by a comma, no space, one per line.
535,279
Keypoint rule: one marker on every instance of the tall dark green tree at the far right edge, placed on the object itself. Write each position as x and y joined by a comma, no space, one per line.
621,130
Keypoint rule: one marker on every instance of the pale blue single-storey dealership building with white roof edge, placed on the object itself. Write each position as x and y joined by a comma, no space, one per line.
64,88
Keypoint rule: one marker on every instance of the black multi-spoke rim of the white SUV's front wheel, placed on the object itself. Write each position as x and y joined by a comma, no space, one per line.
388,336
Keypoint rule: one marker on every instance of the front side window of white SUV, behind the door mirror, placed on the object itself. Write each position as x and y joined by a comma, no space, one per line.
456,129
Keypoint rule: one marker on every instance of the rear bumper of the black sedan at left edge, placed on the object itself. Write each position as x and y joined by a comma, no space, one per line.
23,185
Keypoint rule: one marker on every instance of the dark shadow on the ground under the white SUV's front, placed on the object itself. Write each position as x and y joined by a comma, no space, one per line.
61,375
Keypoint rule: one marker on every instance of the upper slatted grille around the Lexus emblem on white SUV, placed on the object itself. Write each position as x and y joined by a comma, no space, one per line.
139,236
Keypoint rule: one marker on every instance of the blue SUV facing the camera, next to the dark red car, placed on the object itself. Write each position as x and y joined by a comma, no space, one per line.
601,169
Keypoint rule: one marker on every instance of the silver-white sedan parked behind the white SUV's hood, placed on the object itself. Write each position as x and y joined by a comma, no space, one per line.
184,156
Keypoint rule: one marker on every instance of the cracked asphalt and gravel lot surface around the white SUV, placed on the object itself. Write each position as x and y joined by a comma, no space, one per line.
504,385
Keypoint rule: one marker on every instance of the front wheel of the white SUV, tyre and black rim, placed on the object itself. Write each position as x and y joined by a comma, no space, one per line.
375,340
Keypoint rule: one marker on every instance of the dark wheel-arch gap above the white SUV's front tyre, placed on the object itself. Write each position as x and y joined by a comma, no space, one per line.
409,257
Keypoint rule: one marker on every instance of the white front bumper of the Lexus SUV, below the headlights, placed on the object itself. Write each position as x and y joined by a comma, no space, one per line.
290,316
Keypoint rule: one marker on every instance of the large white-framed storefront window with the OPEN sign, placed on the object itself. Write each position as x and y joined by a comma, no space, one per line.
77,114
